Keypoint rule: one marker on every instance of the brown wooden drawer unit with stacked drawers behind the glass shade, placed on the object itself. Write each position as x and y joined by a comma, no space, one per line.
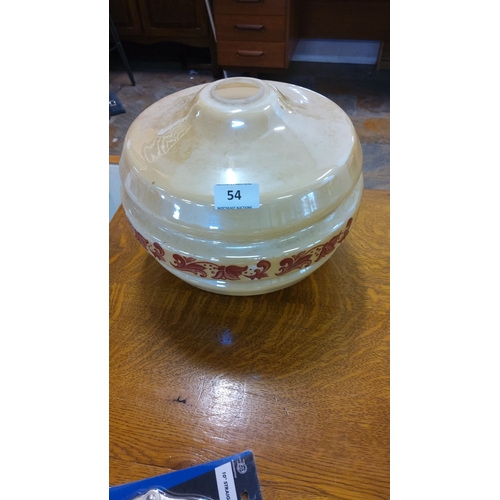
255,34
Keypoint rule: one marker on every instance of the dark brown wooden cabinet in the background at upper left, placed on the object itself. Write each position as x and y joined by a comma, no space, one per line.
151,21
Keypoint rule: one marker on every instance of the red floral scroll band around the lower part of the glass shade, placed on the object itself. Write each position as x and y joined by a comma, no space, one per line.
211,270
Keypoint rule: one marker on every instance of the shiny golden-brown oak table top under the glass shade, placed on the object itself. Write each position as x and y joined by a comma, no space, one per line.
299,376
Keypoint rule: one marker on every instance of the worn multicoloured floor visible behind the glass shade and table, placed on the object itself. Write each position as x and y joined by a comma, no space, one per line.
360,90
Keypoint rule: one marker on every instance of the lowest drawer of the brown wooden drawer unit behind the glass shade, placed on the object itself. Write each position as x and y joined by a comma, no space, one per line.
251,54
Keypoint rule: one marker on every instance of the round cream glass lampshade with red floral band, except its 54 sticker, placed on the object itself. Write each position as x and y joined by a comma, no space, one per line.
297,146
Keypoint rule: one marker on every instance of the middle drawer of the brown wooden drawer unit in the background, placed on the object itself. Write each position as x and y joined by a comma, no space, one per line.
251,28
